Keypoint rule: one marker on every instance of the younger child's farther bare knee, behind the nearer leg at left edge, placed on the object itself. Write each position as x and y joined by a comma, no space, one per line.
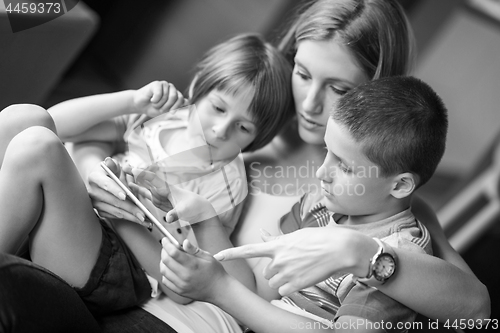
18,117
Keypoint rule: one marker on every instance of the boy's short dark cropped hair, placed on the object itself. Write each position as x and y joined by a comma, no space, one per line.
401,123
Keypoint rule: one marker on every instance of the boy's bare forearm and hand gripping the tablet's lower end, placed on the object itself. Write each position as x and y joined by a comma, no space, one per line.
196,274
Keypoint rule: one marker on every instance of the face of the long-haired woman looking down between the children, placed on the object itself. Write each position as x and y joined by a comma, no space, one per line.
323,71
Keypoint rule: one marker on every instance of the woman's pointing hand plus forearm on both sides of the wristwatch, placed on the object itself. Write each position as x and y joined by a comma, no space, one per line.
424,283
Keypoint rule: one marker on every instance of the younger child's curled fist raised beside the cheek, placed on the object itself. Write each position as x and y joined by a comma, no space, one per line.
158,97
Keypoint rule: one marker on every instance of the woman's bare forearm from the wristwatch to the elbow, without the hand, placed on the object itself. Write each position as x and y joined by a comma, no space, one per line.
436,288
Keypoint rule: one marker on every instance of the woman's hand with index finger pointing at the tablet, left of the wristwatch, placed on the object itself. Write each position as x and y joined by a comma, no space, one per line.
305,257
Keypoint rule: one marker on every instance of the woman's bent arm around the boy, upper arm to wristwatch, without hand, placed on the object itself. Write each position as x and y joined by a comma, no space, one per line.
420,278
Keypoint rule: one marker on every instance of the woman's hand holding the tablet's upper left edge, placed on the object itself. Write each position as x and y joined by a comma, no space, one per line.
108,198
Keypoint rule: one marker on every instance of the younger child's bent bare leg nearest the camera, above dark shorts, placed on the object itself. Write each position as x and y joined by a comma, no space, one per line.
42,194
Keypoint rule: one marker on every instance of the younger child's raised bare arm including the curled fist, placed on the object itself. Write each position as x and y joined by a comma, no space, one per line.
88,116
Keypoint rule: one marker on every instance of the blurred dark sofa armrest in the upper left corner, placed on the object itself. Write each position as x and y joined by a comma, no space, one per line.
32,61
